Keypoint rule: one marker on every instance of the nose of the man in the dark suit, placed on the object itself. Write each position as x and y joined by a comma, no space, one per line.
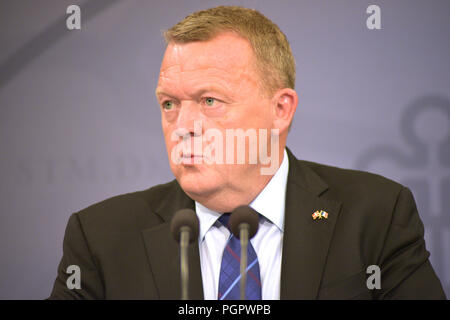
189,120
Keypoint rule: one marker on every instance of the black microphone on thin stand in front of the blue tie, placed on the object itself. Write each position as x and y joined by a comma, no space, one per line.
244,222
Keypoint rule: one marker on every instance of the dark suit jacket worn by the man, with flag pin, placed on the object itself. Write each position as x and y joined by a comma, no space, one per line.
125,250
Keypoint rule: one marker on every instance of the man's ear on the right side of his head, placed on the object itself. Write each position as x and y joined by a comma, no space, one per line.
285,103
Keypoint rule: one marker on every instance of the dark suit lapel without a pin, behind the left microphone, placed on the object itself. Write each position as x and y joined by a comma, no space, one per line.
163,252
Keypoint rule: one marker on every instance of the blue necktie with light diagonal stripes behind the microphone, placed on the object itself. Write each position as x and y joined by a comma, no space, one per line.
229,278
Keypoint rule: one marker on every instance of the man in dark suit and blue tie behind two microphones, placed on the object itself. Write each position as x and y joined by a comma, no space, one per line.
230,69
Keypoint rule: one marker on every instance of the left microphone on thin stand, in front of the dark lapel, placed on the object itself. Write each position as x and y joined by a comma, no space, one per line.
184,228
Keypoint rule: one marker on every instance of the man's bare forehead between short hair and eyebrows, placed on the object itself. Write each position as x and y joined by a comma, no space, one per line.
226,55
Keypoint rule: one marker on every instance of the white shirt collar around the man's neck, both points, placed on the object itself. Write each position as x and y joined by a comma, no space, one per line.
270,202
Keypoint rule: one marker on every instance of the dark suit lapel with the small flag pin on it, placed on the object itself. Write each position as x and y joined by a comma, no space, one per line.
305,241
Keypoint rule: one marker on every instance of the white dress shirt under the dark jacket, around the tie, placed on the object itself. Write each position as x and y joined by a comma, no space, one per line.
267,242
